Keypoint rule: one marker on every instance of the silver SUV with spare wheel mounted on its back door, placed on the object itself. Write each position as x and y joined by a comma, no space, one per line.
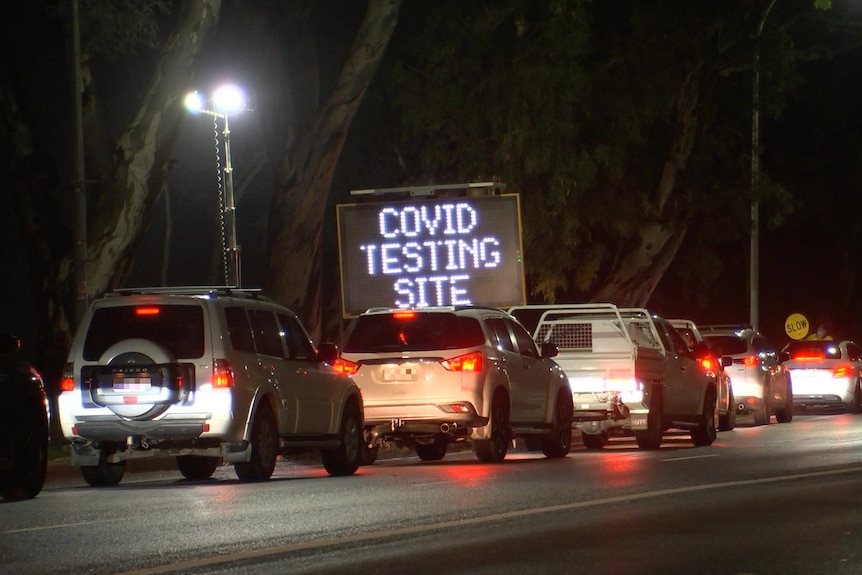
204,375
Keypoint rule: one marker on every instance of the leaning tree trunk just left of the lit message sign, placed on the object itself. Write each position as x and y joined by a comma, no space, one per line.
299,206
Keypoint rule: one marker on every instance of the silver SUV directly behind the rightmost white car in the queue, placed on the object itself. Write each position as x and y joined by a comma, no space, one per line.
761,384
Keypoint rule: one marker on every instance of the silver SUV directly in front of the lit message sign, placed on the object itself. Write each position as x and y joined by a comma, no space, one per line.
435,376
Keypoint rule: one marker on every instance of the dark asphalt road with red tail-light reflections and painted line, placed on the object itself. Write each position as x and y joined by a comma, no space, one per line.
777,499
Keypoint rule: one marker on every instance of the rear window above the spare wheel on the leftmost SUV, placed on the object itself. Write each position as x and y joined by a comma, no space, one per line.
177,328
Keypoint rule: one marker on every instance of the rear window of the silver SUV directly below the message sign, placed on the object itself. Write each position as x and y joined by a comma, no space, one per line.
380,333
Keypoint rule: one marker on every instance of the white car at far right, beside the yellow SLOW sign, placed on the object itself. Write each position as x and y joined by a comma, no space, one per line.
825,373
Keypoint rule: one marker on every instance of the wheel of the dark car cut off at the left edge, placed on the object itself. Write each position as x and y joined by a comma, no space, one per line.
29,457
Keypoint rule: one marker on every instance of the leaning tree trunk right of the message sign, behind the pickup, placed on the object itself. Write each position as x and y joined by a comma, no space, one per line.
636,274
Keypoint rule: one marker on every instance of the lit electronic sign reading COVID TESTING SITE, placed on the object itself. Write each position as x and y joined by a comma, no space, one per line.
431,252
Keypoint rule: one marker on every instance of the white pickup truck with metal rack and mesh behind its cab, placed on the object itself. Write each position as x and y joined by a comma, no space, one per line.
630,372
